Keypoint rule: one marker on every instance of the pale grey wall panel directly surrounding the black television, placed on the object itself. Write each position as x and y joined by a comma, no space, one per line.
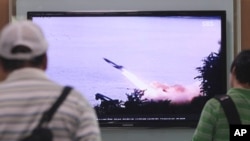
117,134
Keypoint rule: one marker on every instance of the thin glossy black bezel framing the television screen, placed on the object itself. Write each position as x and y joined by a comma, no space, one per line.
135,123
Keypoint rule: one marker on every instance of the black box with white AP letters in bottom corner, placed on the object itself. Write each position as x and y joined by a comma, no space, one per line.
239,132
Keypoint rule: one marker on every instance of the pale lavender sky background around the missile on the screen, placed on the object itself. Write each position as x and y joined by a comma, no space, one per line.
166,50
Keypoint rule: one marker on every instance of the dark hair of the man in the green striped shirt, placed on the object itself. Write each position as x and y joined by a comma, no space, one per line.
241,66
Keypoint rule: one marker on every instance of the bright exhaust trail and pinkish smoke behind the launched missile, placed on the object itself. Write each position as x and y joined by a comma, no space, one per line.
159,91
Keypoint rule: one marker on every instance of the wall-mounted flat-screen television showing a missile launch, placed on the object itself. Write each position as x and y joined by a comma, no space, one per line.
139,68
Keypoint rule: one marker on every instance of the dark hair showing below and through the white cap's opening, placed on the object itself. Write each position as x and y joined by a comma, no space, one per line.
13,64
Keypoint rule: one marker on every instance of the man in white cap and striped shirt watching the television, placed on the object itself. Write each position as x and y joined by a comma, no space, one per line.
26,92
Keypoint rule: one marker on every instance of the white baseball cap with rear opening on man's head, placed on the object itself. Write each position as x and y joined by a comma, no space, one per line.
22,33
